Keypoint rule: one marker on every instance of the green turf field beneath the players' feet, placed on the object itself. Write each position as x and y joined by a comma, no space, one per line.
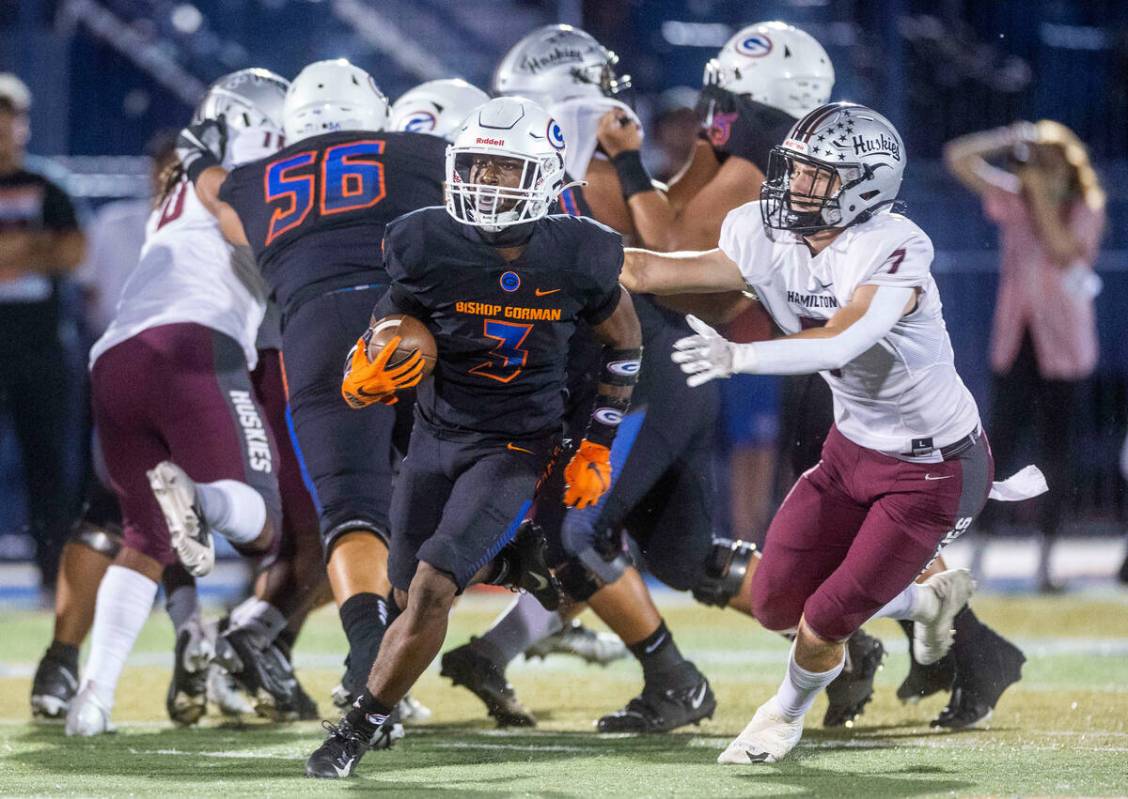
1063,731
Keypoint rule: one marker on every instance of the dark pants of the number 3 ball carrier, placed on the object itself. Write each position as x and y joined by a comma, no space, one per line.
460,499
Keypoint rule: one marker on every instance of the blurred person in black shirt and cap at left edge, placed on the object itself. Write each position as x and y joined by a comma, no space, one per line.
40,242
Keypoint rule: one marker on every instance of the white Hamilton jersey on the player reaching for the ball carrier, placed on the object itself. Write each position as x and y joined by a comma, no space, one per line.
903,390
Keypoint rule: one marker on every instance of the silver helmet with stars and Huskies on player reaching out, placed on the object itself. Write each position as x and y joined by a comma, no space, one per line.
839,166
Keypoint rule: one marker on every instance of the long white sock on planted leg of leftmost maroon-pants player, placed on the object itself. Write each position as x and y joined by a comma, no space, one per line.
125,601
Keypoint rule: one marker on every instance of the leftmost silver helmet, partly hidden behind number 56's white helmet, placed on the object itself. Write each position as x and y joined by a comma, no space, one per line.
251,102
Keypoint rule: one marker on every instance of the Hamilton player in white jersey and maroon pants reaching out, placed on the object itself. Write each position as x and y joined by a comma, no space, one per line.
907,467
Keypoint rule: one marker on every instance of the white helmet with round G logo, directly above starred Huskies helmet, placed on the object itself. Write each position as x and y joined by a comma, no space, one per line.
777,65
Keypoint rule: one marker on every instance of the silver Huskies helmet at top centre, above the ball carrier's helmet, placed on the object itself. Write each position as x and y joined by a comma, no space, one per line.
559,63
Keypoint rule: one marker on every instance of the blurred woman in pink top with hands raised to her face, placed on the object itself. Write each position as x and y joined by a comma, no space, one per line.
1050,208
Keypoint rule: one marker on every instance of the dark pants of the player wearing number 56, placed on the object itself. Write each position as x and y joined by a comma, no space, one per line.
350,456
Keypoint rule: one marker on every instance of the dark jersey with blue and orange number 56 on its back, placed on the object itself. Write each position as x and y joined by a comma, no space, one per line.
315,213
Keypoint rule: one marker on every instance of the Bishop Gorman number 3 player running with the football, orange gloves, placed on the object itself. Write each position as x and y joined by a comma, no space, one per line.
503,286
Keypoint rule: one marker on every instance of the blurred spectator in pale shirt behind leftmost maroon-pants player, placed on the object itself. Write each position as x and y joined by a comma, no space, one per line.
117,236
